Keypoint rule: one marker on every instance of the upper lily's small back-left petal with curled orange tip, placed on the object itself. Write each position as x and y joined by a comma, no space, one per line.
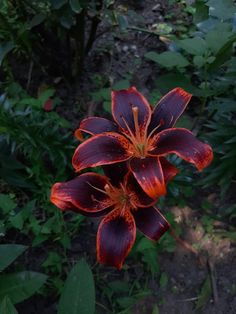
95,125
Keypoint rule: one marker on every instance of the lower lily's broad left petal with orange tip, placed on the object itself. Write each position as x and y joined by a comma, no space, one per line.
81,193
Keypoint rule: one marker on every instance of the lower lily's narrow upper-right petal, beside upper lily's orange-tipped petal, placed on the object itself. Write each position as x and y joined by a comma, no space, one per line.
140,198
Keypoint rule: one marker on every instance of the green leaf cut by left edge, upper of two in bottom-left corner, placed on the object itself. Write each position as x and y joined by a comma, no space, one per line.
9,252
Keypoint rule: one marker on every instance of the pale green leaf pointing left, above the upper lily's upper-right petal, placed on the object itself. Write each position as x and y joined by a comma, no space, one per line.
168,59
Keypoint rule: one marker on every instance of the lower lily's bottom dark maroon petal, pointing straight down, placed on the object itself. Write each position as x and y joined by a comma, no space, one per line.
115,238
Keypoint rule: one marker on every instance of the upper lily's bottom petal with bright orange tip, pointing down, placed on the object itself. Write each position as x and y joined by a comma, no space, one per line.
148,173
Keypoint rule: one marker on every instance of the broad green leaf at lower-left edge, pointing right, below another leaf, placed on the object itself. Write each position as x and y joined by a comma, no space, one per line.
20,286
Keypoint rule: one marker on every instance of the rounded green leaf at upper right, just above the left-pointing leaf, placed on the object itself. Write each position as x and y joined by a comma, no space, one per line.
195,46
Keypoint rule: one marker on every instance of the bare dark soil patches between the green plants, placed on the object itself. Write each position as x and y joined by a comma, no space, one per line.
186,271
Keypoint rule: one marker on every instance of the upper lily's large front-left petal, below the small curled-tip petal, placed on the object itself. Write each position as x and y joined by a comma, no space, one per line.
102,149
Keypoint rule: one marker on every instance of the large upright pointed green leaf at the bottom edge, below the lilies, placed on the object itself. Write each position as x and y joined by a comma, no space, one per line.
78,295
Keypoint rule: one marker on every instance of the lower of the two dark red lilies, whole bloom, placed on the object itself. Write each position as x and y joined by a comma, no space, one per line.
125,207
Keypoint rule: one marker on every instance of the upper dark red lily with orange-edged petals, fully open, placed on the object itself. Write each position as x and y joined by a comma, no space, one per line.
141,136
